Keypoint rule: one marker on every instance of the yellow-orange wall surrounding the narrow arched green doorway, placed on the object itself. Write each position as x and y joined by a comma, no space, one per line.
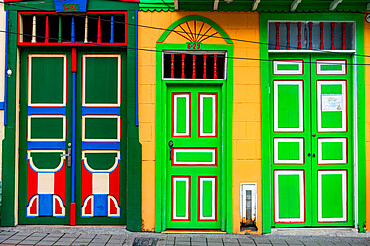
246,104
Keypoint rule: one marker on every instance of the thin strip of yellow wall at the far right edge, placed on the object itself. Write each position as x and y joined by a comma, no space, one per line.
367,118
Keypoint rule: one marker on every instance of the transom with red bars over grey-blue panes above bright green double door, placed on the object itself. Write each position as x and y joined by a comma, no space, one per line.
311,35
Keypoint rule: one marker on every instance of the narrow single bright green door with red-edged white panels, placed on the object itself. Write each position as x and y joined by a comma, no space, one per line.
194,157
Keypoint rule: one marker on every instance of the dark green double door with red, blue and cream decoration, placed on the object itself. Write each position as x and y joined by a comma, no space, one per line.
71,129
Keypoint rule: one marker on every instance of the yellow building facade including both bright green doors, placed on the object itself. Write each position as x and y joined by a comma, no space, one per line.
289,149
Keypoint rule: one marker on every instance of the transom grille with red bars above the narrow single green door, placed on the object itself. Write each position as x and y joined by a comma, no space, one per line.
194,65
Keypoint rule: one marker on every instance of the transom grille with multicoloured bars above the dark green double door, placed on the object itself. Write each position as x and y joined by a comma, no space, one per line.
72,29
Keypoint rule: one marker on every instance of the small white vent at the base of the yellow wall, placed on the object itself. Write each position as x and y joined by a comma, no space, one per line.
248,204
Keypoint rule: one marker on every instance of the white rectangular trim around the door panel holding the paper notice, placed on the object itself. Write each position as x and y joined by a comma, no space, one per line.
343,83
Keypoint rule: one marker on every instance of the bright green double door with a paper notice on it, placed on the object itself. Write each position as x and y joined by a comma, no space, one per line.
311,141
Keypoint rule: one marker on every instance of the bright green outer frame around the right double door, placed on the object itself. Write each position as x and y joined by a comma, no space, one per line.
266,169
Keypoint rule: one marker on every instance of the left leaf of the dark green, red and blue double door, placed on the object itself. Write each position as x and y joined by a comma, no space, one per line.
44,124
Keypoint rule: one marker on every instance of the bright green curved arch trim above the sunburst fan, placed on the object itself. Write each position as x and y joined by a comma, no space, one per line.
197,18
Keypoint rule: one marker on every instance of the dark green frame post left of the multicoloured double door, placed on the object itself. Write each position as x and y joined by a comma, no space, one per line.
8,171
